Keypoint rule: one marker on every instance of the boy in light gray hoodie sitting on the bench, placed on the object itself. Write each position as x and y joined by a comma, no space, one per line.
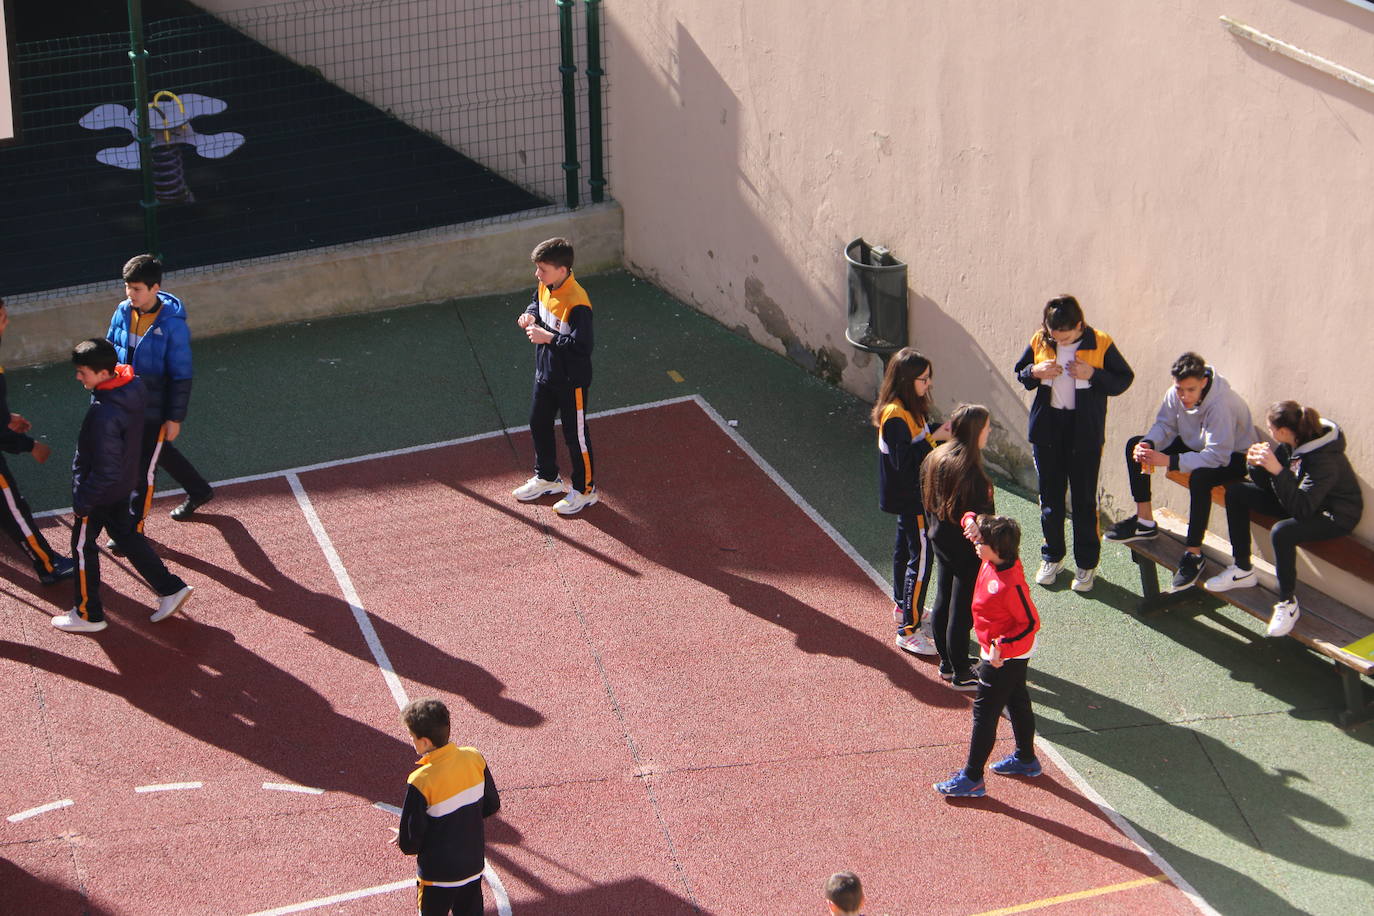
1204,429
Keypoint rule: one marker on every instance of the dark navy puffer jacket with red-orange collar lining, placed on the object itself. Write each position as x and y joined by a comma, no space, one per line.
105,469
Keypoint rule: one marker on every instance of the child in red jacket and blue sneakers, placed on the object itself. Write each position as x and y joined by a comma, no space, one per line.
1006,624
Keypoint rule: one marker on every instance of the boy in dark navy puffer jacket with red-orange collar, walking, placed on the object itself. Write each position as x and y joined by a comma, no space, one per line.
105,473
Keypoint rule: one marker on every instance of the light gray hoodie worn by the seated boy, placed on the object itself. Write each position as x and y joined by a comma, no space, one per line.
1214,431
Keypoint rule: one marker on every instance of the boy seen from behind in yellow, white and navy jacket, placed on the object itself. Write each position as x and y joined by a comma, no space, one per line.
442,821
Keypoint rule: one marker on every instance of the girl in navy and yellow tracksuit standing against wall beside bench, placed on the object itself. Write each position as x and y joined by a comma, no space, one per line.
1072,369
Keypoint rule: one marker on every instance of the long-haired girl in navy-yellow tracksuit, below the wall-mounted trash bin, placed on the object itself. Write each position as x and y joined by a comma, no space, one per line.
902,415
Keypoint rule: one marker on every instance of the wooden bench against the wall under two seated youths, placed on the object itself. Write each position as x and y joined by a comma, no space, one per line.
1325,626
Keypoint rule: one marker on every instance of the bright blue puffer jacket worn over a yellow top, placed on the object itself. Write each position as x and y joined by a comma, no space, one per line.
163,358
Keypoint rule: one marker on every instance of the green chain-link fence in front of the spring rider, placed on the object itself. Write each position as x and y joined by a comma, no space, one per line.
282,128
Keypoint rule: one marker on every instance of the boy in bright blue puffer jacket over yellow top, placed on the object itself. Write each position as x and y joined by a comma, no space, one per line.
149,333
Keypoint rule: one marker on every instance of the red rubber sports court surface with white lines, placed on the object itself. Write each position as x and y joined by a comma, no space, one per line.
688,696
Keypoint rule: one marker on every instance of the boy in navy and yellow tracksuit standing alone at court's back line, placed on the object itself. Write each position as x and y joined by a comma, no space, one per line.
560,326
